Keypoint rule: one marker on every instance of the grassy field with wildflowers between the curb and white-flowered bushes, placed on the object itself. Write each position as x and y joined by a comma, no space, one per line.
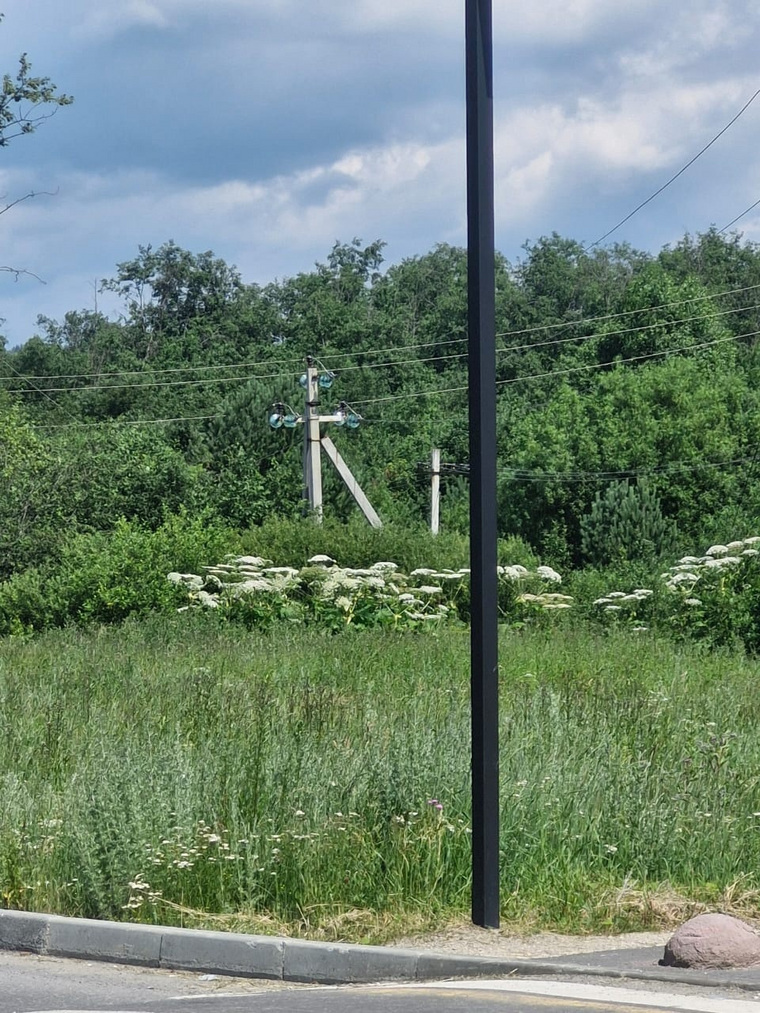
184,772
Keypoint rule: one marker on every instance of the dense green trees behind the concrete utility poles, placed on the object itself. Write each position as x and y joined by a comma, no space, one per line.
628,411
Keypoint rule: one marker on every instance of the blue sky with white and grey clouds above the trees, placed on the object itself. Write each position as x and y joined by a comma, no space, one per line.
266,130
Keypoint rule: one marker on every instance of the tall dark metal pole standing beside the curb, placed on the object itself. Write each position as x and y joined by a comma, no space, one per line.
483,415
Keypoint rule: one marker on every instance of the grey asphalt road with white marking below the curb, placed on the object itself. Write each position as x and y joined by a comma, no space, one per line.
31,984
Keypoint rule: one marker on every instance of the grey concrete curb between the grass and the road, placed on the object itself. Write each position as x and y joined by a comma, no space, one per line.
283,959
